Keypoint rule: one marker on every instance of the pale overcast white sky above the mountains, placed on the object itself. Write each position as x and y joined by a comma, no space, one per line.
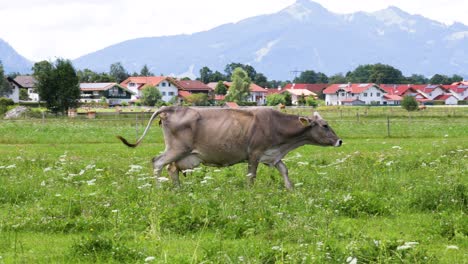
46,29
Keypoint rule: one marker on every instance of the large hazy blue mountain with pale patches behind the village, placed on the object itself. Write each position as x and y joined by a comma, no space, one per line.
303,36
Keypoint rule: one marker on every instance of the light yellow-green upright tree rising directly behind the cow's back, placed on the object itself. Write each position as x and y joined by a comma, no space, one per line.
240,87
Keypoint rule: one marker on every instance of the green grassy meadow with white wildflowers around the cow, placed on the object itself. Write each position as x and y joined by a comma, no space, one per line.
70,192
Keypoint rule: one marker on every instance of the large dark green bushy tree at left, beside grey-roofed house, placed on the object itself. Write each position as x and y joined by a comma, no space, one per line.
57,84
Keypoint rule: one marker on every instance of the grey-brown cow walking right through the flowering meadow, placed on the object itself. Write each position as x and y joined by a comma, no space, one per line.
224,137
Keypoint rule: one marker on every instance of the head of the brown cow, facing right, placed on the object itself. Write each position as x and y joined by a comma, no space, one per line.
319,132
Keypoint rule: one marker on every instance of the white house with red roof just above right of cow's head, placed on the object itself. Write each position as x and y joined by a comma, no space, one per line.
356,93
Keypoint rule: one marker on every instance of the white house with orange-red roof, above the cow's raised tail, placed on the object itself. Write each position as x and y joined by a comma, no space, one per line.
166,85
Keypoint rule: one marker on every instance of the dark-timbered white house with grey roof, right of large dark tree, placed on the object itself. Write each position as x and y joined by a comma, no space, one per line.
114,93
